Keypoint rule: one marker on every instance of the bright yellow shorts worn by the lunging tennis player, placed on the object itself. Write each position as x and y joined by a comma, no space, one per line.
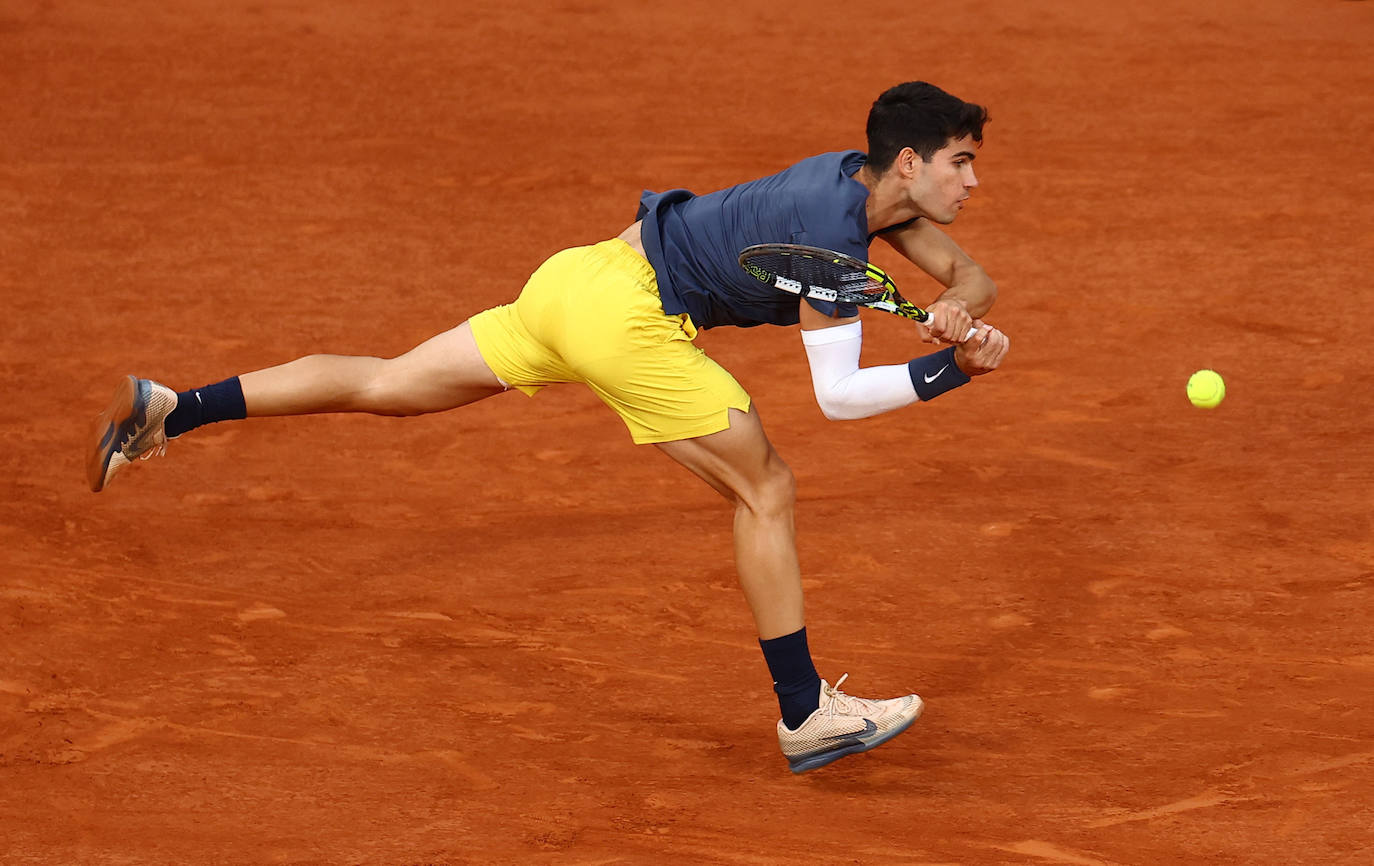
593,315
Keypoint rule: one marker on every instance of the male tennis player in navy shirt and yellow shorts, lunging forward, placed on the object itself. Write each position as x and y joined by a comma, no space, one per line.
622,315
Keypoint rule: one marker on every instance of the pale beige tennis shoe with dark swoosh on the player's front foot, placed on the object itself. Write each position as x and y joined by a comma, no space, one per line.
846,725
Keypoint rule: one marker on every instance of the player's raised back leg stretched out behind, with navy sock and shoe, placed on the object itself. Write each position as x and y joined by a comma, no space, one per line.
442,373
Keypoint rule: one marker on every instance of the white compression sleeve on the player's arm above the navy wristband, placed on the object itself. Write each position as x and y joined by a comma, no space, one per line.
846,391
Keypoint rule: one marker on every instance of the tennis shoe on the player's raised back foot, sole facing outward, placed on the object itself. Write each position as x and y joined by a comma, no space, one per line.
130,428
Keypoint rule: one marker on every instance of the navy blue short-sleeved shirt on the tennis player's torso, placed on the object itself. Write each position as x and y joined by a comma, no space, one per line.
695,241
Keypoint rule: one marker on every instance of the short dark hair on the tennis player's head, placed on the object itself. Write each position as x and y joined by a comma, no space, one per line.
923,118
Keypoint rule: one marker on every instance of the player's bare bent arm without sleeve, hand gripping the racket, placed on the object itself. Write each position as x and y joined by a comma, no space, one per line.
969,291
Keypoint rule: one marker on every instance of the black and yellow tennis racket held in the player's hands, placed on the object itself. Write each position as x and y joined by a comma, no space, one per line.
815,273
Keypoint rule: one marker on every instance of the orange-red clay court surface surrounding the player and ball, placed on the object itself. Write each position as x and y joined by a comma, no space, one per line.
508,636
